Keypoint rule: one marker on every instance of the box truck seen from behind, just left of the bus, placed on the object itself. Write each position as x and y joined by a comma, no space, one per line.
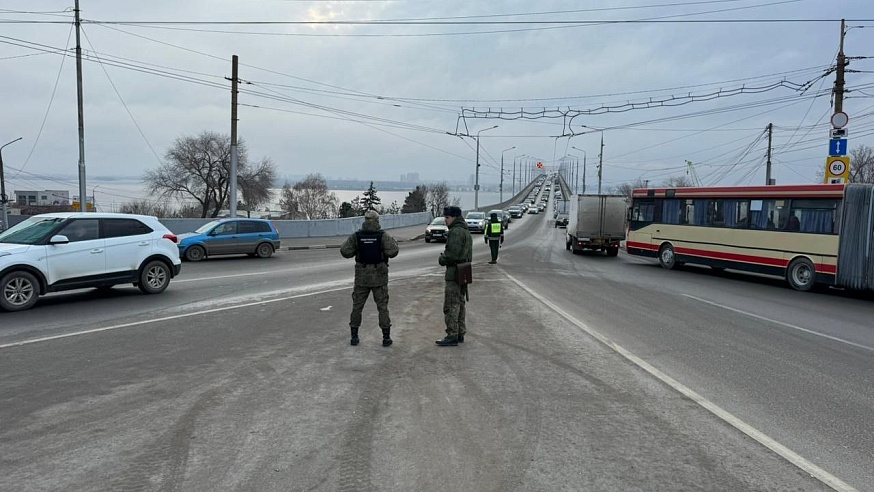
596,222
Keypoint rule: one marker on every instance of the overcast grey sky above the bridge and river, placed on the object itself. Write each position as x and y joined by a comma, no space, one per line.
356,98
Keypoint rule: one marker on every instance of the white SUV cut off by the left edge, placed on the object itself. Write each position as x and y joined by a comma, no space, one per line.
74,250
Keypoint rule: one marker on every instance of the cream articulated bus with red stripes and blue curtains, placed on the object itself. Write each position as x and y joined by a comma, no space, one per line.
806,234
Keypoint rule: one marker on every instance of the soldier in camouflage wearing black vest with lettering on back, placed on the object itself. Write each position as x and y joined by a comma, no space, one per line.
371,247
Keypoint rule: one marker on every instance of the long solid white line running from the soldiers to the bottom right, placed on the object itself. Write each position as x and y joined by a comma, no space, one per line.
794,458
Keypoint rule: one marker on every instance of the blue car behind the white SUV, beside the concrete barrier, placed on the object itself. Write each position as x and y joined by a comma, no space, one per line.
254,237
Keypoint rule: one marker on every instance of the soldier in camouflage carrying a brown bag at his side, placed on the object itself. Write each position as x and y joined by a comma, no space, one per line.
459,248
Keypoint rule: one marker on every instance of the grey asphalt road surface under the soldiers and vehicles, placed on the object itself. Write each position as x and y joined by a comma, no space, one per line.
579,372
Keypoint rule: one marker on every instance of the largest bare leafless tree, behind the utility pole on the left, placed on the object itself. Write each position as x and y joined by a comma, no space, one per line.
198,168
